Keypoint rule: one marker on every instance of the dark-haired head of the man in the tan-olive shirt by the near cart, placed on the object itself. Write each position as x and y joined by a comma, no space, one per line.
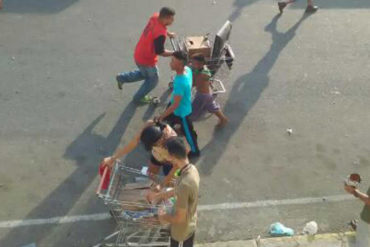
176,149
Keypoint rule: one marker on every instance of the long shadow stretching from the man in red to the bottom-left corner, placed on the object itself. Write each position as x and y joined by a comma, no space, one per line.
87,150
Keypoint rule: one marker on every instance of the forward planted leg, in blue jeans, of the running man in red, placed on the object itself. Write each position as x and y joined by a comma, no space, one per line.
151,80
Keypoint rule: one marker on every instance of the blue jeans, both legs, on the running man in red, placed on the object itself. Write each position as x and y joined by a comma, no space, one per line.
150,75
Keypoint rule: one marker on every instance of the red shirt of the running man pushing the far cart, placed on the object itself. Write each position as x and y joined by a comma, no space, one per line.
144,51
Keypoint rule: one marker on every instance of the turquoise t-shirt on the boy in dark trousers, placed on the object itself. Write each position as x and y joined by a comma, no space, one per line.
182,85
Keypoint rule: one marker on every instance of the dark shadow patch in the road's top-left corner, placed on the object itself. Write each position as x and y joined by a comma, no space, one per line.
36,6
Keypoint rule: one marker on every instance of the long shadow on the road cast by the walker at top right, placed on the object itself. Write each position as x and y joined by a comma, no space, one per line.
245,93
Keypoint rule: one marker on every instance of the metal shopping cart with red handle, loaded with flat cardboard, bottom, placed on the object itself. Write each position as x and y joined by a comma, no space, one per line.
137,220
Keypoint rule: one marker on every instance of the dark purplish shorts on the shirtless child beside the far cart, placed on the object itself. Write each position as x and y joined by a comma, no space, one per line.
203,102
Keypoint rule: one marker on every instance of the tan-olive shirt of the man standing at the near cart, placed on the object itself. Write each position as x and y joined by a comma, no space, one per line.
186,192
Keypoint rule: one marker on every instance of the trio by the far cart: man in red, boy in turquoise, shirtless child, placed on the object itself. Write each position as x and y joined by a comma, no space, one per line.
181,111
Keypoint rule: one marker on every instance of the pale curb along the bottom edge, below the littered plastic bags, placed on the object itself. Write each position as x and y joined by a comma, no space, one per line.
346,239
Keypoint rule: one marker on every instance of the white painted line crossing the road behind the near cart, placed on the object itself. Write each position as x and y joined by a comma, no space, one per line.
222,206
